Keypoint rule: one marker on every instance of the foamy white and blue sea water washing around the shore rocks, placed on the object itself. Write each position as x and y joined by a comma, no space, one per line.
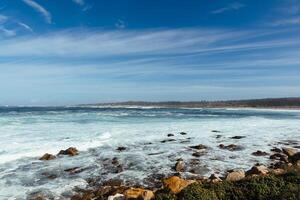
26,133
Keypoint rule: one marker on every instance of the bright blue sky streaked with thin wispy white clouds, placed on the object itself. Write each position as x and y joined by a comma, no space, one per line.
64,52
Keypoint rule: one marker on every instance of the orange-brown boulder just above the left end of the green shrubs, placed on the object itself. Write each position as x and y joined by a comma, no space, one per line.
176,184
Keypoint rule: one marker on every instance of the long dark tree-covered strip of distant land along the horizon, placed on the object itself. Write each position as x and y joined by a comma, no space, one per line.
291,103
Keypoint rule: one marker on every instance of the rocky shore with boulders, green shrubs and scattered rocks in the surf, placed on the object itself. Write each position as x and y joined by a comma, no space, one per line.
278,180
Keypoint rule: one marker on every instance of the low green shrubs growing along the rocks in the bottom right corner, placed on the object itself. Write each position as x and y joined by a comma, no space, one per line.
285,187
